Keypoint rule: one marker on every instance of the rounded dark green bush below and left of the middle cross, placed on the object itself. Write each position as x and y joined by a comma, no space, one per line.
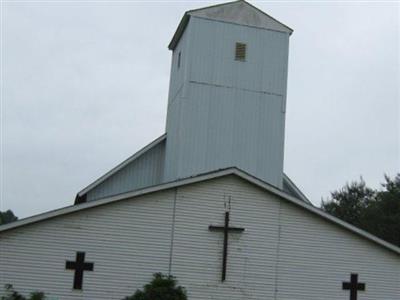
161,287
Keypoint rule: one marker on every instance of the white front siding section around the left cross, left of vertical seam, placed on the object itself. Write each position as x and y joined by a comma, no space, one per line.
127,241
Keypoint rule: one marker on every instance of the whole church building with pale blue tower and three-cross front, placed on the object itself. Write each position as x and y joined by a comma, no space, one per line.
208,201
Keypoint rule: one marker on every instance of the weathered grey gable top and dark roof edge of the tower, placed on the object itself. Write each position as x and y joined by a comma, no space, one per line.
237,12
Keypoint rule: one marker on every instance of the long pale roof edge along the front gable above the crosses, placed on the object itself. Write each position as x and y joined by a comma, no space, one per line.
212,175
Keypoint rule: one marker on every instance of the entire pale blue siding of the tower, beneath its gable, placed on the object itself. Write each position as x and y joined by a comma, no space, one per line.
228,113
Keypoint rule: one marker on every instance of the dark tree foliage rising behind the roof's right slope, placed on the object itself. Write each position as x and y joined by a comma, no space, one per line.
376,211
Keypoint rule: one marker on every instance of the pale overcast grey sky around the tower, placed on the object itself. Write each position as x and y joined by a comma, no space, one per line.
85,86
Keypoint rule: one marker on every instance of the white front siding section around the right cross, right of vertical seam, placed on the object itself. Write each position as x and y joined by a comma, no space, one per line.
316,256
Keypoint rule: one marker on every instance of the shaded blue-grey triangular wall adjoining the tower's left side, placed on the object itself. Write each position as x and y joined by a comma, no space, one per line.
146,170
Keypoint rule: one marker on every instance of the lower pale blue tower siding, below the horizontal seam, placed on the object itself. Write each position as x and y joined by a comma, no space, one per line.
210,122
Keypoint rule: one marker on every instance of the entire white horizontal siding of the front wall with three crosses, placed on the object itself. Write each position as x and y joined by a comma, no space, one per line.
284,253
